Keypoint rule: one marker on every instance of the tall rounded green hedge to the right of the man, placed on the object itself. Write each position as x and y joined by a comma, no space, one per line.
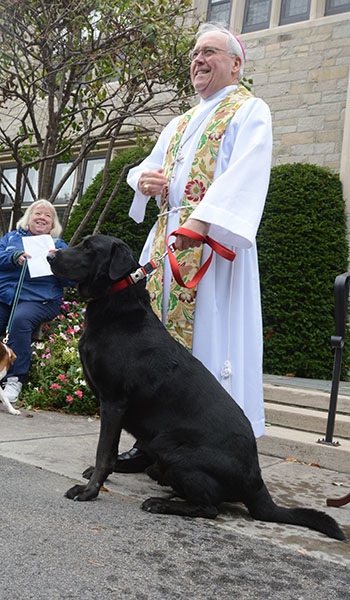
302,247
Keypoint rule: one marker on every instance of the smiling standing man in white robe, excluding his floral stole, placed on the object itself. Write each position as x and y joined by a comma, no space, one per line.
227,333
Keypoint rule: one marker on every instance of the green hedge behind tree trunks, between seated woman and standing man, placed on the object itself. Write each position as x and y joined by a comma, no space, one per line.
117,222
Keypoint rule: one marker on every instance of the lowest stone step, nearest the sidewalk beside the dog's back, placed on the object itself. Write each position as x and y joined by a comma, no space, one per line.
303,446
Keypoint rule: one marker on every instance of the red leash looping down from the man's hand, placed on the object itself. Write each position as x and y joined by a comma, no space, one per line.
215,247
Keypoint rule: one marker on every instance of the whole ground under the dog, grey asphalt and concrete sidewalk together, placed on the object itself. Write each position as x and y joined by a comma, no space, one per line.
54,548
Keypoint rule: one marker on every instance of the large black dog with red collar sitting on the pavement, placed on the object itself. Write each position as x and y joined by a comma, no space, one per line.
202,444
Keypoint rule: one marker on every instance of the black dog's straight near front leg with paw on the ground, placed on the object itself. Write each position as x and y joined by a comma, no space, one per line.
110,429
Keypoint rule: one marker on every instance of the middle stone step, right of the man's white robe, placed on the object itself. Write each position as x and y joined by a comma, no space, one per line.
306,419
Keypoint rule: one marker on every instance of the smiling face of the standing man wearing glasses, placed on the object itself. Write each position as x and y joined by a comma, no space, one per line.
214,69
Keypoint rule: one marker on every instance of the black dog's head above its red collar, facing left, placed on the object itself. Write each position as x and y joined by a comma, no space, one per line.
94,264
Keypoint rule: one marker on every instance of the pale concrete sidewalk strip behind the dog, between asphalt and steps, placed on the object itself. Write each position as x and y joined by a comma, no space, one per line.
66,445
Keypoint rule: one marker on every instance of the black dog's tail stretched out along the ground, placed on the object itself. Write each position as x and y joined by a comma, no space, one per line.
263,508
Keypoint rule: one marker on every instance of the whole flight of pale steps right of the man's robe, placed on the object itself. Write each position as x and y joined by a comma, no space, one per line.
296,417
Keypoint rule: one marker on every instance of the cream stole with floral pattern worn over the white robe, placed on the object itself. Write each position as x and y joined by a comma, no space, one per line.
181,306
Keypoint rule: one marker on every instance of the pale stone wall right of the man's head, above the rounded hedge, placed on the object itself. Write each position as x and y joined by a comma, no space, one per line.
302,72
